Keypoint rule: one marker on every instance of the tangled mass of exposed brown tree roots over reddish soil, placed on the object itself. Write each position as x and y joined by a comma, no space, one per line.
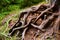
44,22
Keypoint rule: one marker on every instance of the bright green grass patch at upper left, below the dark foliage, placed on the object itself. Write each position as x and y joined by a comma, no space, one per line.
6,11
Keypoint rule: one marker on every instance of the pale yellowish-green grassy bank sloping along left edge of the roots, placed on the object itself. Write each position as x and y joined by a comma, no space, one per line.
4,23
